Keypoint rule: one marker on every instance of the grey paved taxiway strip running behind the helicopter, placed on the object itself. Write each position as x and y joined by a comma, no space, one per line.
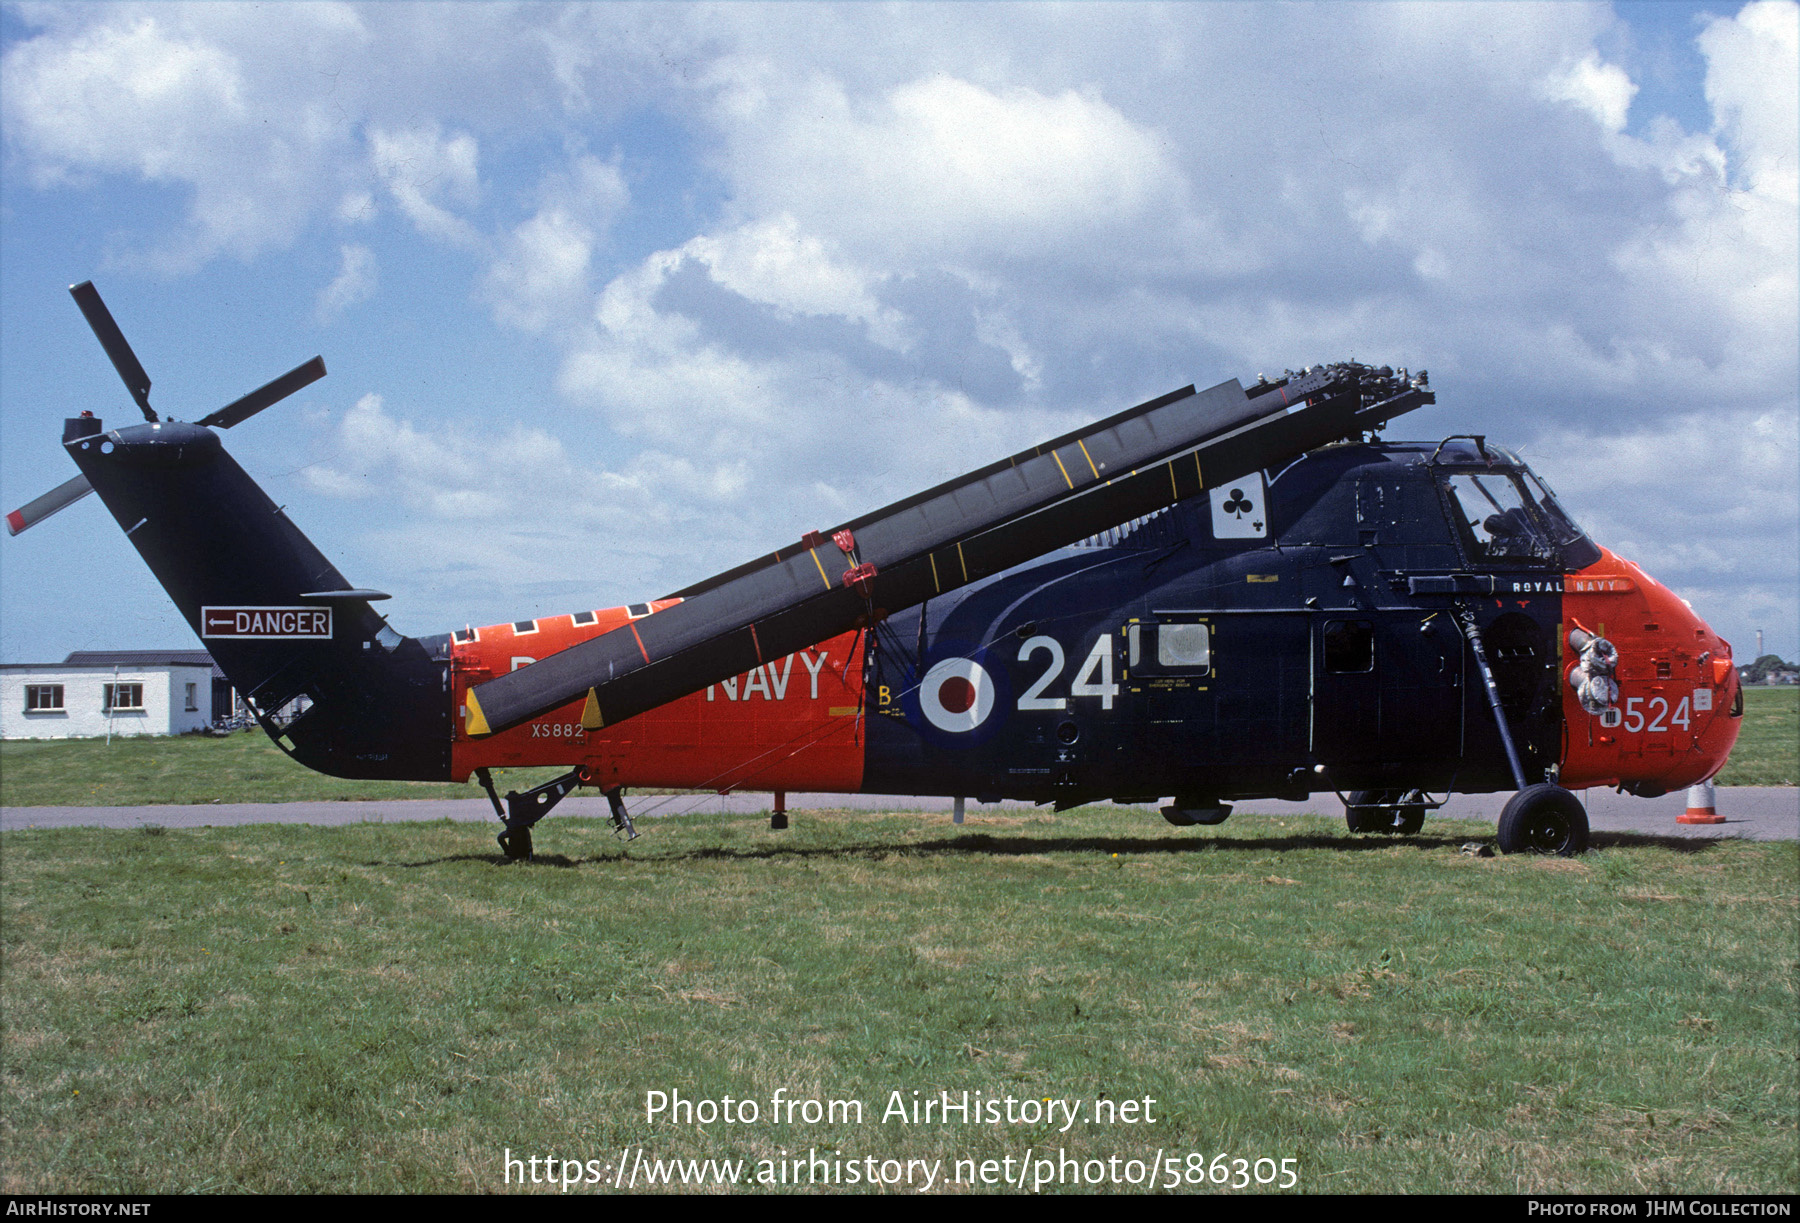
1761,813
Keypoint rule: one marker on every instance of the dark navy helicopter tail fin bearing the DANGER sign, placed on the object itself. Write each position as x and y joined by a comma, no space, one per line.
278,619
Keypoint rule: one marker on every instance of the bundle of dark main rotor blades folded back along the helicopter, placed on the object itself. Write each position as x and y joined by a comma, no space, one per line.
1124,467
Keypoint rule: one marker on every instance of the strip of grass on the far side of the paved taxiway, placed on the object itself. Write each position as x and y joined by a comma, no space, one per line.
251,770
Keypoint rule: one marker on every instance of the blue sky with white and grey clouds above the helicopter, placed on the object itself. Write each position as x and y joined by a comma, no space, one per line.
618,296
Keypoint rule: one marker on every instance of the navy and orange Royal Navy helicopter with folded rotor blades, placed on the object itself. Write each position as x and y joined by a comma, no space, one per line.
1214,597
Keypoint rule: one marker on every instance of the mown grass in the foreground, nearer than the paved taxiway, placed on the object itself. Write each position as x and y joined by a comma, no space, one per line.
388,1008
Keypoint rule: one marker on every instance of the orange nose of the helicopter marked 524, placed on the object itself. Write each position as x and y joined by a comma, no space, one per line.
1677,711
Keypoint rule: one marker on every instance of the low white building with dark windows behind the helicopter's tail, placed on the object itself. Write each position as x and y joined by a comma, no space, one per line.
127,693
